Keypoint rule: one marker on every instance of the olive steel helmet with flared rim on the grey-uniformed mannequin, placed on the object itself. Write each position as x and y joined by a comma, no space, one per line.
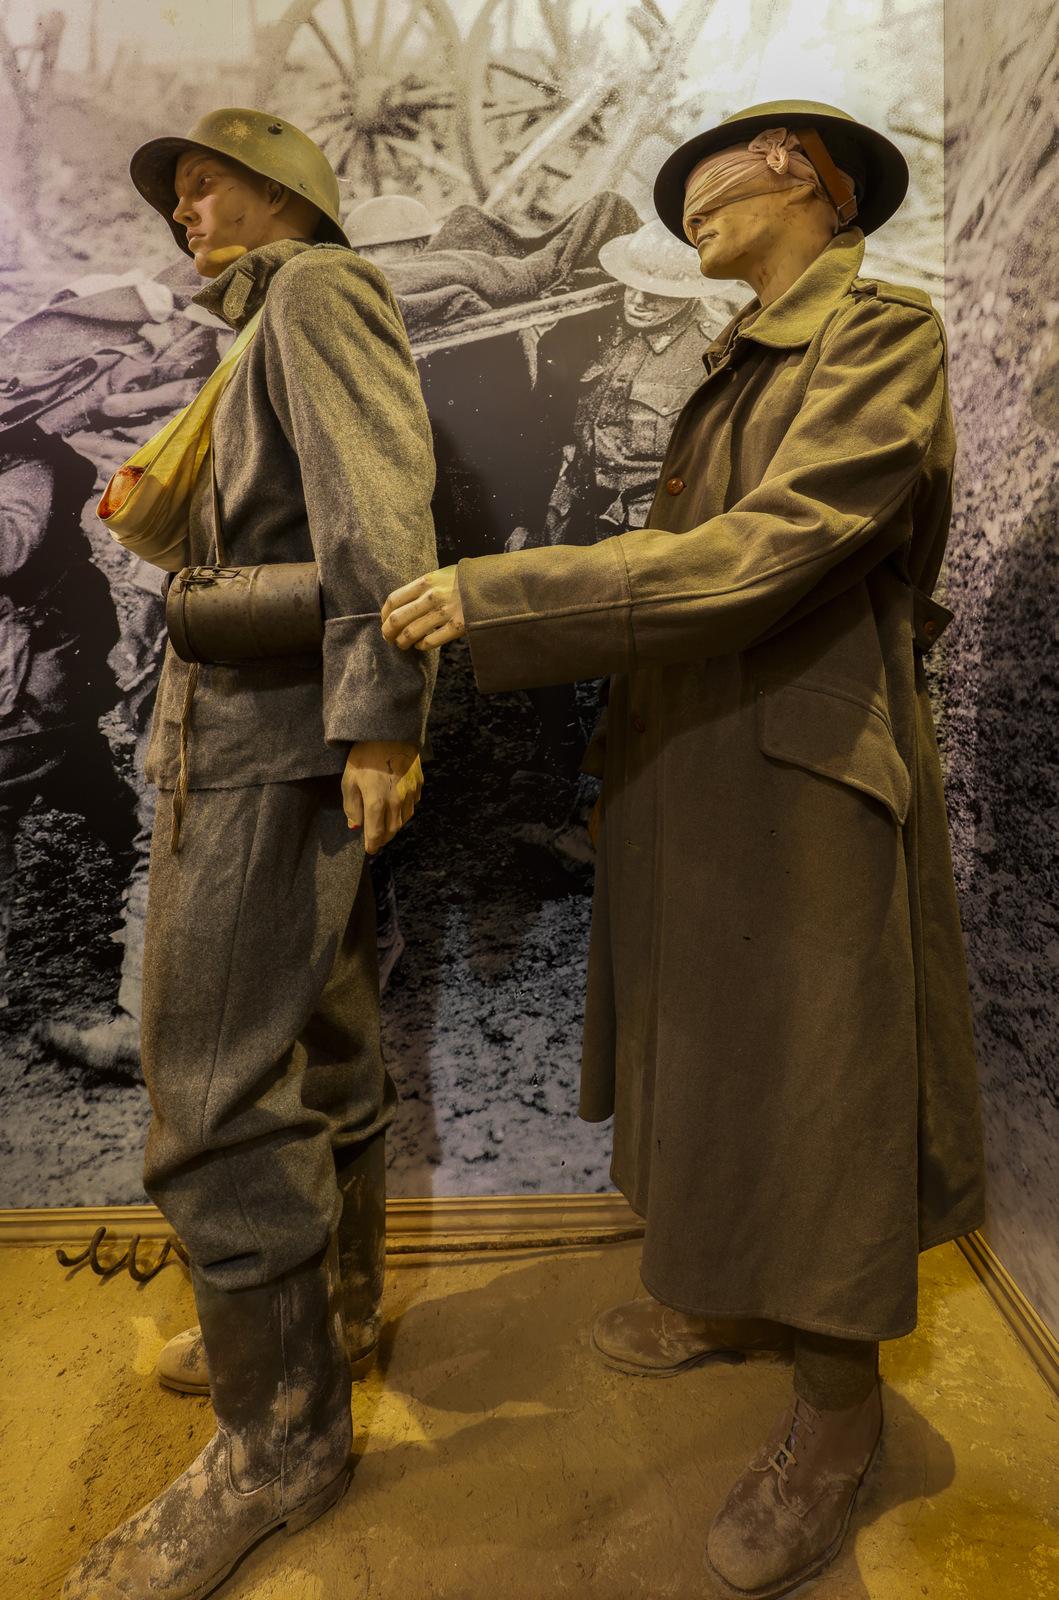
263,143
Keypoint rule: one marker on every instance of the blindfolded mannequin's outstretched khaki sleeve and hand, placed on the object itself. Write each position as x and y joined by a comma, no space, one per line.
652,598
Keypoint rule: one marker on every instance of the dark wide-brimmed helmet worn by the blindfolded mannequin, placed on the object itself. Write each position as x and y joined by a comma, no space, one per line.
877,167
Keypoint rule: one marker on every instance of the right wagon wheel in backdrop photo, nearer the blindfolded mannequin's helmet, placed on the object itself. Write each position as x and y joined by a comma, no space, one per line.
559,94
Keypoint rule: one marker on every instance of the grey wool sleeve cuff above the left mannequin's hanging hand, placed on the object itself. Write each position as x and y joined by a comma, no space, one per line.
370,689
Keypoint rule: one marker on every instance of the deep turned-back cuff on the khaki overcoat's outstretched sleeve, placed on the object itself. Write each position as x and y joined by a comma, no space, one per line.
548,617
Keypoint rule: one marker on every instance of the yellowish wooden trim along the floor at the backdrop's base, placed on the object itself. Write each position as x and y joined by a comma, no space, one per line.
494,1222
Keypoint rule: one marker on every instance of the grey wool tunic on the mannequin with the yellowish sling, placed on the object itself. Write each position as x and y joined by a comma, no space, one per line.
322,450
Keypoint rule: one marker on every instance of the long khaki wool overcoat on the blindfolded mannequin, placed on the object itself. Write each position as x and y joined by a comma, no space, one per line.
778,1010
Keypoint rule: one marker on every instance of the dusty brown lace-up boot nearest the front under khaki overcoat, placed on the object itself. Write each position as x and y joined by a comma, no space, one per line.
788,1514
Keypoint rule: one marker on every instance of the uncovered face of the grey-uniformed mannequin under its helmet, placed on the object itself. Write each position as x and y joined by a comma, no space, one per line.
230,210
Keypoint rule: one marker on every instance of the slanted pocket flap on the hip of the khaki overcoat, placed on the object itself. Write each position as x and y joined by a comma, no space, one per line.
837,737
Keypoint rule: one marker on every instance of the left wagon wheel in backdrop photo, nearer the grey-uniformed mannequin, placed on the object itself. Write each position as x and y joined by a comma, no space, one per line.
375,86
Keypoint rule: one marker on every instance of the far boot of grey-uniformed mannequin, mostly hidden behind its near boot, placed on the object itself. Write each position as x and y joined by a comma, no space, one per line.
362,1265
